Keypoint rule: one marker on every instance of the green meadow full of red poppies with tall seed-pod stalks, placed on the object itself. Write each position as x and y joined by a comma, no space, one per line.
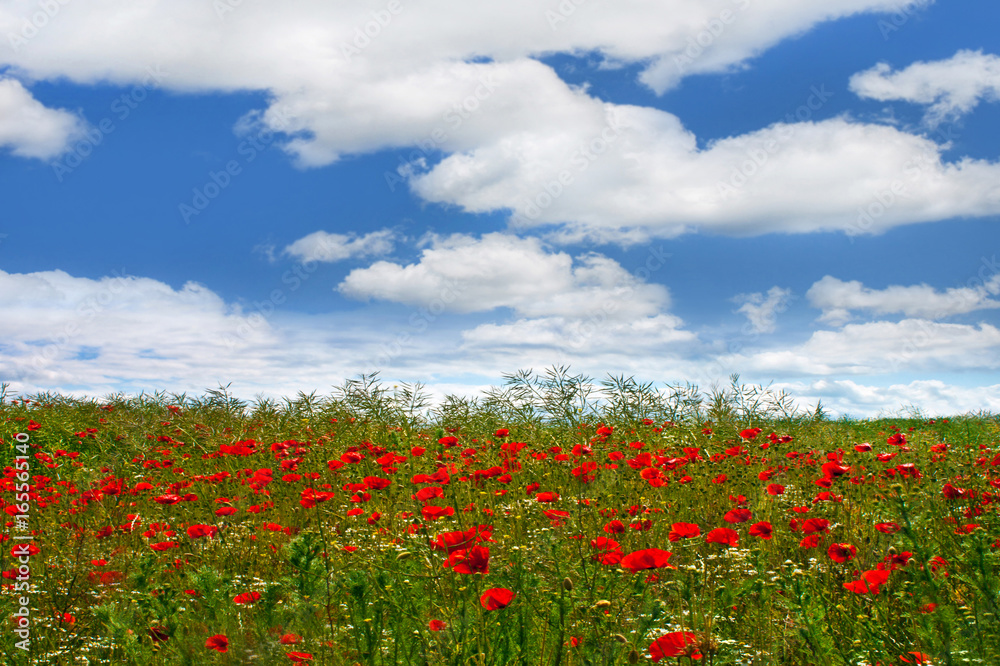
547,522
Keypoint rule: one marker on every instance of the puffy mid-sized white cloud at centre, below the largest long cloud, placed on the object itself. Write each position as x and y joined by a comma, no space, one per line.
464,274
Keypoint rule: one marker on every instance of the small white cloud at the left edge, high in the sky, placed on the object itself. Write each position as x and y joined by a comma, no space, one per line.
30,129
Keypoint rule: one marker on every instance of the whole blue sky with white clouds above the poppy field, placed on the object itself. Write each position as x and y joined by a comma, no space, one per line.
804,193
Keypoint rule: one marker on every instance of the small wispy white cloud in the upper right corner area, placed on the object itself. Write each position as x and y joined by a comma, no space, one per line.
950,88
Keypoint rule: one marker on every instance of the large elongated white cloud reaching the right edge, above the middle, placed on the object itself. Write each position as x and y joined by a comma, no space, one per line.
653,180
